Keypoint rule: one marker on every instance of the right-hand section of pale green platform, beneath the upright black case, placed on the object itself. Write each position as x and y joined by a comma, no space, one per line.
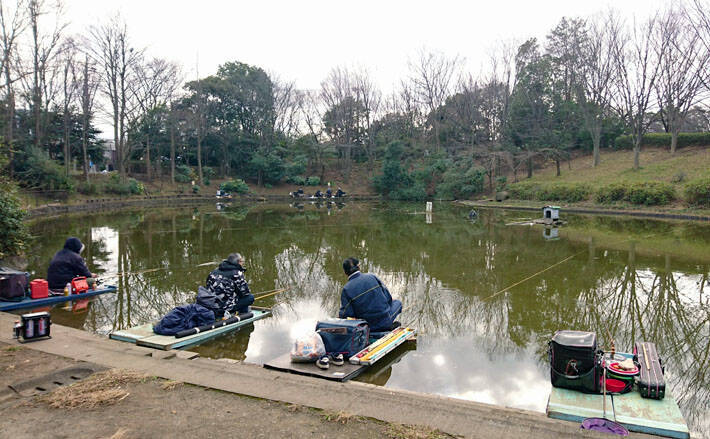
659,417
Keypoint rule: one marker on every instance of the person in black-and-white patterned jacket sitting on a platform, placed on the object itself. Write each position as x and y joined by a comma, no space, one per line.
230,287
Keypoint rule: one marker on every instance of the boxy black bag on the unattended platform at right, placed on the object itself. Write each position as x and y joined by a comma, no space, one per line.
575,362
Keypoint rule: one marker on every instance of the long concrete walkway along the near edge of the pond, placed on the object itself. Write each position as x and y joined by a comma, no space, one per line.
464,418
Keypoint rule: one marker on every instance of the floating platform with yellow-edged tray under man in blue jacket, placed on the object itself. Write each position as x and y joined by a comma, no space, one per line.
351,369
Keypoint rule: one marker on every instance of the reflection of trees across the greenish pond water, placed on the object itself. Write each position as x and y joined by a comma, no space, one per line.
444,273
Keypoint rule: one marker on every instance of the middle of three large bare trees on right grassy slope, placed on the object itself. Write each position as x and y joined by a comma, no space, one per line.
636,60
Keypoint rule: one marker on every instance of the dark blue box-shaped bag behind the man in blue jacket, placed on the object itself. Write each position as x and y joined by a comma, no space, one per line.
344,336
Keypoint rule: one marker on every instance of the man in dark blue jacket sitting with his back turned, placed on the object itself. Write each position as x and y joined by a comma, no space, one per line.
366,297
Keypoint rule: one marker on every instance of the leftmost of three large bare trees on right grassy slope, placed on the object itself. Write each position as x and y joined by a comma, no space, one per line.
598,70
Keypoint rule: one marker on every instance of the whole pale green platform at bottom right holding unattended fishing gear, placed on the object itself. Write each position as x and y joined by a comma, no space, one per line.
659,417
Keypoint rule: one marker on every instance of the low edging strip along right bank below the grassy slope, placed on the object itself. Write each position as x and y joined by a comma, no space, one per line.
587,210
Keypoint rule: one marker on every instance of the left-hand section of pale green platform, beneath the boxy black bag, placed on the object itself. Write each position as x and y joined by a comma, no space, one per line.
571,405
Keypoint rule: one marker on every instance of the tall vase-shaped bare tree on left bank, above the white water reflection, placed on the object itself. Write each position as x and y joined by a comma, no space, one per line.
116,59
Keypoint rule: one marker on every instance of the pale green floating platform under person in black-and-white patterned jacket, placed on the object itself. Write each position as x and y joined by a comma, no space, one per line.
143,335
